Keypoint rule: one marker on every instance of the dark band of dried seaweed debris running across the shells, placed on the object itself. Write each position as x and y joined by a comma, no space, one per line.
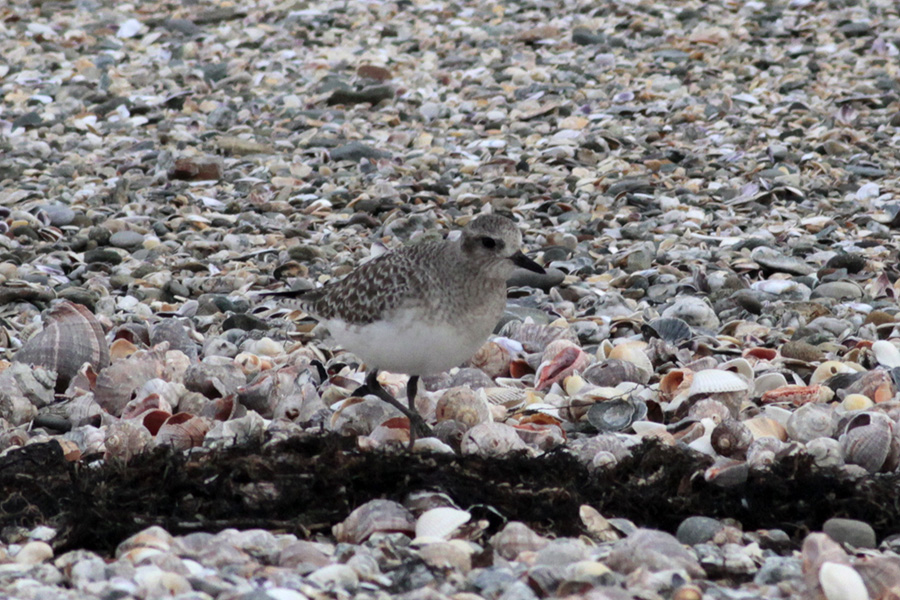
306,486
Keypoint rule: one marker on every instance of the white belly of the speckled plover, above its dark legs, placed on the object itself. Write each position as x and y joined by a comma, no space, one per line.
410,345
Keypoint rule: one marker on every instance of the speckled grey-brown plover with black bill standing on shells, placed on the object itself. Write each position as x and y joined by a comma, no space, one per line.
421,309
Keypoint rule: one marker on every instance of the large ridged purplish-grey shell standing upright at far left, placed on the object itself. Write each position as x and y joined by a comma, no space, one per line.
71,337
